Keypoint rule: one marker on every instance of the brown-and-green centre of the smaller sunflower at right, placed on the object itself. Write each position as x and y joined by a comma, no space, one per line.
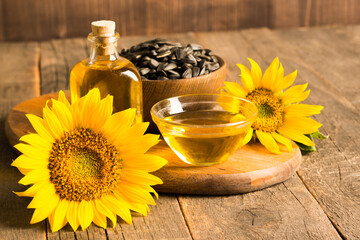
270,110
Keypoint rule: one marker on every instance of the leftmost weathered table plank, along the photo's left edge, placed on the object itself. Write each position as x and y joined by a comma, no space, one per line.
19,80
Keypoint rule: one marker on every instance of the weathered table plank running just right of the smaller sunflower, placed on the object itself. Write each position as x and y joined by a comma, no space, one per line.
331,173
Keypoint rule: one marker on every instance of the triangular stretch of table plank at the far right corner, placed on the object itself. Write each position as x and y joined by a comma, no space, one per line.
340,46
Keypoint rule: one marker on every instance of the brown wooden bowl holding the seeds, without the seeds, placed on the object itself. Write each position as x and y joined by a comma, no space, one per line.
157,90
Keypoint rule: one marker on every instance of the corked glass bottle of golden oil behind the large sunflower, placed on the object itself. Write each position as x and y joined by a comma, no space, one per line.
108,71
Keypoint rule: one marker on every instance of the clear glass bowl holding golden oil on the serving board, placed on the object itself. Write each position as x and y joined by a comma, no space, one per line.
204,129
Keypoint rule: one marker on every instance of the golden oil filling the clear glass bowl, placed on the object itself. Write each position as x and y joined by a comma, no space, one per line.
207,143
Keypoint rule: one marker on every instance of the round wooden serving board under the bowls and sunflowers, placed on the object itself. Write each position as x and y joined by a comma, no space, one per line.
250,168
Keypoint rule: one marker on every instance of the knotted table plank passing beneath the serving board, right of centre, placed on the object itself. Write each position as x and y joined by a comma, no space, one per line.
283,211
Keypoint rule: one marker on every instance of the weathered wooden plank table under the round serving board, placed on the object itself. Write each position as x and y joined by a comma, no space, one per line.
322,201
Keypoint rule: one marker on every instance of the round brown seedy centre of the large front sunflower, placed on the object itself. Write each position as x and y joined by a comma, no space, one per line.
84,165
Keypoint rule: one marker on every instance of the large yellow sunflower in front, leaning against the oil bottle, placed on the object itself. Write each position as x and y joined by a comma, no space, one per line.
86,165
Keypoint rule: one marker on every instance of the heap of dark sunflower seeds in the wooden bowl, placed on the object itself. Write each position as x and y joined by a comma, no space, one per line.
160,59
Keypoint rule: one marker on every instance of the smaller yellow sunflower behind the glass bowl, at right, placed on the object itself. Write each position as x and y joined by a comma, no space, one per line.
280,116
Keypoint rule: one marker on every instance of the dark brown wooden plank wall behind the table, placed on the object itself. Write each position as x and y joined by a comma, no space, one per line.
46,19
